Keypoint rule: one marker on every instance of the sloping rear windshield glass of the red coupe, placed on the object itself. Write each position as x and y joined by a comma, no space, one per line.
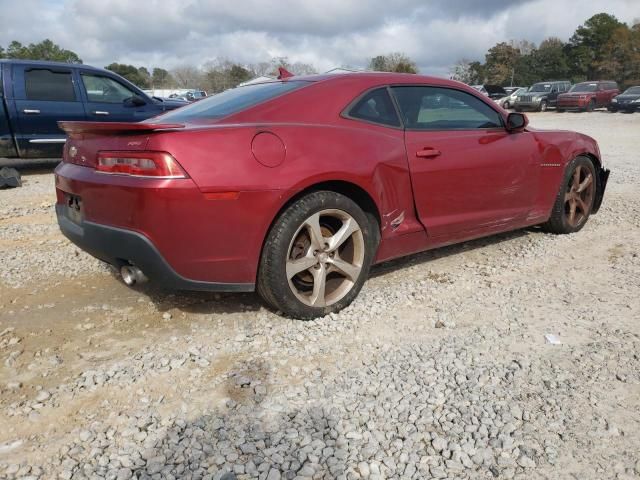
230,101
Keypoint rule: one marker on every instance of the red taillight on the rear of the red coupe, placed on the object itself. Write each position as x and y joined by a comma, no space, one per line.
140,164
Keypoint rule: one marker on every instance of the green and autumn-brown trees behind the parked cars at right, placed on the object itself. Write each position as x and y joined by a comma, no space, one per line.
603,48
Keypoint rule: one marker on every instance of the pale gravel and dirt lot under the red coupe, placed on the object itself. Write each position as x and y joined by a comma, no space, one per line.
439,370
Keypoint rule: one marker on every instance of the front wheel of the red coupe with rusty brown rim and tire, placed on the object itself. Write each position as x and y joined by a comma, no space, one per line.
575,198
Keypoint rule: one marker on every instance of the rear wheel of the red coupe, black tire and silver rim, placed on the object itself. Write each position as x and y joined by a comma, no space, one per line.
317,256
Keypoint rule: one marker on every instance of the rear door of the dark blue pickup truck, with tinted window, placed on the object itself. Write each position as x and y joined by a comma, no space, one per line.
43,96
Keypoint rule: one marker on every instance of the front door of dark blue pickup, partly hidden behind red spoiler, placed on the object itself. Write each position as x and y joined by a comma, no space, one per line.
110,100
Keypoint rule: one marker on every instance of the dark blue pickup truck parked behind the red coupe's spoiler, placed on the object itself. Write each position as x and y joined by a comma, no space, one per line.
35,95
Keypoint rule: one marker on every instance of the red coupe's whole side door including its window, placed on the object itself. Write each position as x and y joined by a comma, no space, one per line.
469,175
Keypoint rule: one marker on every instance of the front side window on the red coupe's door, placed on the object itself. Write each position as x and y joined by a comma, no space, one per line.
436,108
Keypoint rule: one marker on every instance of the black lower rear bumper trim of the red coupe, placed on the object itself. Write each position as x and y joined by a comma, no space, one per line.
119,246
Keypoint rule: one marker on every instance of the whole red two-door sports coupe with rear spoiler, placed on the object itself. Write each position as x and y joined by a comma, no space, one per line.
296,187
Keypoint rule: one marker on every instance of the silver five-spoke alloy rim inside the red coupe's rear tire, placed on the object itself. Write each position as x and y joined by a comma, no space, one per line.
325,258
